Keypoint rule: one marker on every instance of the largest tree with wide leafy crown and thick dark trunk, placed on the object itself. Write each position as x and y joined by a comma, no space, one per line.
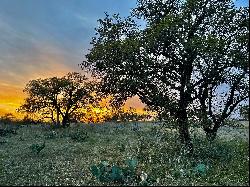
184,46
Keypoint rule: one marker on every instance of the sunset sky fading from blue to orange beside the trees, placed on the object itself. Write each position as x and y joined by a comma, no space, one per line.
44,38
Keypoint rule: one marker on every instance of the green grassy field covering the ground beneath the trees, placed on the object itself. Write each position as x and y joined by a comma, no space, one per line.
69,154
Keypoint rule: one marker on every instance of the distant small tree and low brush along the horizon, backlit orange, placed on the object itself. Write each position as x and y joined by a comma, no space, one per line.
71,98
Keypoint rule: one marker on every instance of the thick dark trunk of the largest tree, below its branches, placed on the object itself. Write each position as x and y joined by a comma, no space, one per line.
185,138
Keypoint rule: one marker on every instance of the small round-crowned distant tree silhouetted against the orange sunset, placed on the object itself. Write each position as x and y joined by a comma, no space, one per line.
58,97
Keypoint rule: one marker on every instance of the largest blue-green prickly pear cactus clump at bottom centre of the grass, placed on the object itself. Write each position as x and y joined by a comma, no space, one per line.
116,174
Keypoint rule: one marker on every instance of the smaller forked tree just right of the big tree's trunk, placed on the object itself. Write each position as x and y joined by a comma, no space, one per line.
219,99
